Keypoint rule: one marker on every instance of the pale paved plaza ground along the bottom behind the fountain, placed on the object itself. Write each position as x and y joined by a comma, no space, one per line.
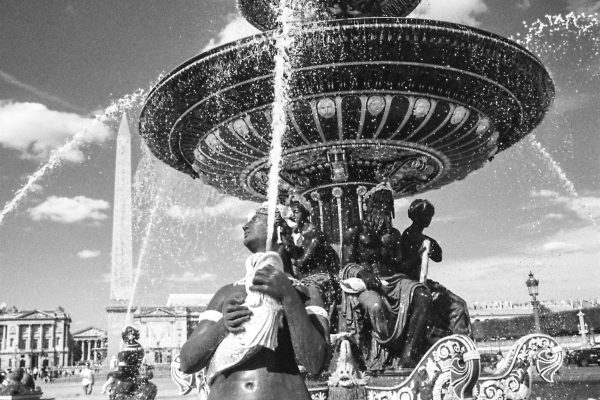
573,383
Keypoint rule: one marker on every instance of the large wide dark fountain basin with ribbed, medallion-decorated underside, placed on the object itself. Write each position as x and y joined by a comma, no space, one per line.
419,103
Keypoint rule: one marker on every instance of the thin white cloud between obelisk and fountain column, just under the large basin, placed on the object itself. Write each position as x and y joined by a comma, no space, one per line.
228,207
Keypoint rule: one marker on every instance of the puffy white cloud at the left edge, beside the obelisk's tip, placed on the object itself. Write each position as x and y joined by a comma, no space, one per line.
36,131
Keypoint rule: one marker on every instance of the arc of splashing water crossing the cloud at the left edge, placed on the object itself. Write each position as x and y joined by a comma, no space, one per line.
110,115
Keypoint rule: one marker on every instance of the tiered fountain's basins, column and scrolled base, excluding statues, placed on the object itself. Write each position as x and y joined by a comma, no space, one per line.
370,97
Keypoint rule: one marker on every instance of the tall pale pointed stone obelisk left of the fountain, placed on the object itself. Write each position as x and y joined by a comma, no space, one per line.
121,277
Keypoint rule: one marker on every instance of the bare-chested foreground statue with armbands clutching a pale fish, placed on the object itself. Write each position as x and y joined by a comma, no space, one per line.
255,332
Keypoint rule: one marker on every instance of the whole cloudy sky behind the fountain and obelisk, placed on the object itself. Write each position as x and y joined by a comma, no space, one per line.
535,207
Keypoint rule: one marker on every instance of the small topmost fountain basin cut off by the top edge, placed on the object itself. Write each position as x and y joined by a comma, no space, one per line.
263,13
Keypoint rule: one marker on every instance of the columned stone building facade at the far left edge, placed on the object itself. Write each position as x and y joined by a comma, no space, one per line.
34,338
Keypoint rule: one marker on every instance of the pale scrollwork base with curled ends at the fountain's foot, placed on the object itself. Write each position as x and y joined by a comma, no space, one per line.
450,370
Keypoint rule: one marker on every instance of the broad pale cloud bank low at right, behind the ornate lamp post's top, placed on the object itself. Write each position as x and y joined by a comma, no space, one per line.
503,276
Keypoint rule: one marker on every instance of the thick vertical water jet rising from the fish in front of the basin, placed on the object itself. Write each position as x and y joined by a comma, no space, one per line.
283,70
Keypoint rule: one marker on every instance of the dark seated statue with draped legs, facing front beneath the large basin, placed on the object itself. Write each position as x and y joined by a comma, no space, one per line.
380,300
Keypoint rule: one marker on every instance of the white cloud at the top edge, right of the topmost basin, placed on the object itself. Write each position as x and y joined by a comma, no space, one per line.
458,11
